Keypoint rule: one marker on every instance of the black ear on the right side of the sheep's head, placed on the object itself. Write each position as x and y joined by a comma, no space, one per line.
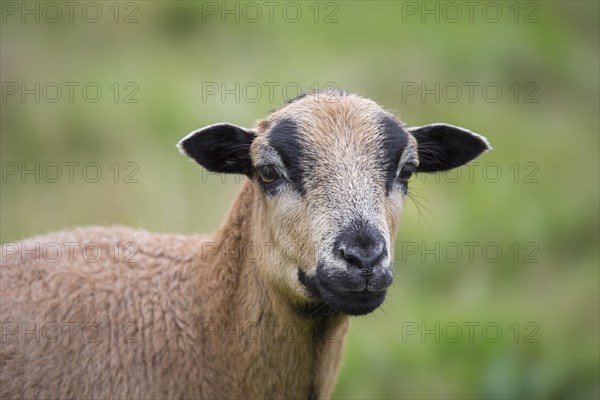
442,147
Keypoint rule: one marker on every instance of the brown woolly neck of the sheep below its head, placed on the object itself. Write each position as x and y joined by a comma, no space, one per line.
262,332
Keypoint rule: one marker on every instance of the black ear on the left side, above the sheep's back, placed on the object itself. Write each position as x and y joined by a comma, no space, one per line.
220,148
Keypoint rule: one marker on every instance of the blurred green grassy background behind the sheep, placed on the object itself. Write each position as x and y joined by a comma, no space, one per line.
166,68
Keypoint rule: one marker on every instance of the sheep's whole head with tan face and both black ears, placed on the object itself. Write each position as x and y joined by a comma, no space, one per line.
332,170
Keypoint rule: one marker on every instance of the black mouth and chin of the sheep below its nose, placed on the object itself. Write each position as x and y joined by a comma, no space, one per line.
343,300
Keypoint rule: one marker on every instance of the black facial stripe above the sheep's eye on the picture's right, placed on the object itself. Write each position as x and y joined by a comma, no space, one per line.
394,141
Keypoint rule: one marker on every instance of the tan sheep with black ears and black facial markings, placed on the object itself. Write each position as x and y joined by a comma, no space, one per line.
258,310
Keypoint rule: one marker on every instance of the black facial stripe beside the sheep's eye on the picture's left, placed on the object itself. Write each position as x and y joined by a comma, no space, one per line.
285,138
